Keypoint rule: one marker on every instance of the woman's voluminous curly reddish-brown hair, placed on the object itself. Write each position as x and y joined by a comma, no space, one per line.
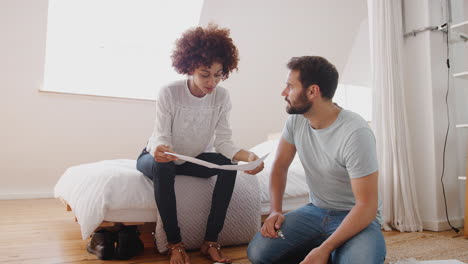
202,47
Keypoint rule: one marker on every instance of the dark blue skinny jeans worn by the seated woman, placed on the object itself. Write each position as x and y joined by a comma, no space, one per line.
163,174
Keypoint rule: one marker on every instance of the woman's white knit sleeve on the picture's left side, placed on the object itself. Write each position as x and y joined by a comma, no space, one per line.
162,133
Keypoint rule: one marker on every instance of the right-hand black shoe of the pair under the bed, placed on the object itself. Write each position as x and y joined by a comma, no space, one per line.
129,243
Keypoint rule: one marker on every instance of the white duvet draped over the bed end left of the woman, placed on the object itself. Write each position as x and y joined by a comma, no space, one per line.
93,189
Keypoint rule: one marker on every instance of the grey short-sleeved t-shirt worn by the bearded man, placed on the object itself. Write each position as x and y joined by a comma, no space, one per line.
332,156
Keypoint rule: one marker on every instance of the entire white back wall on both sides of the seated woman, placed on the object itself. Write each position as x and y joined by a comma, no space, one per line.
44,133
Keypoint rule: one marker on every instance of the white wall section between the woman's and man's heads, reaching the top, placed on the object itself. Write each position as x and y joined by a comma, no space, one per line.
268,33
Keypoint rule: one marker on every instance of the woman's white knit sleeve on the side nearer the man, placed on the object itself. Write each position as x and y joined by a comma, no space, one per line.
223,133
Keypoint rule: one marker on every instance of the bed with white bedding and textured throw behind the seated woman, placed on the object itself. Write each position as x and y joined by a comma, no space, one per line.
113,191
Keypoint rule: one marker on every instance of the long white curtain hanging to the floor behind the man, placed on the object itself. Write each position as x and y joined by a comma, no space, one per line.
397,188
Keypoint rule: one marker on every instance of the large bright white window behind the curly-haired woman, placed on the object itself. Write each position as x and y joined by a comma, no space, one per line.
117,48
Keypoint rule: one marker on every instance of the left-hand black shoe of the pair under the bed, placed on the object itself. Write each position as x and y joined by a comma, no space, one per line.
102,244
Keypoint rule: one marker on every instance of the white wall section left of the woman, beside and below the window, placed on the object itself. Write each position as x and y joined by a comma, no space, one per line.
44,133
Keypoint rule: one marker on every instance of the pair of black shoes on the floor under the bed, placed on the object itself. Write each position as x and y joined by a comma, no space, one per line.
122,244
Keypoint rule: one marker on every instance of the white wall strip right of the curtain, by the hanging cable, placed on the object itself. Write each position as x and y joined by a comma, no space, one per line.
426,84
